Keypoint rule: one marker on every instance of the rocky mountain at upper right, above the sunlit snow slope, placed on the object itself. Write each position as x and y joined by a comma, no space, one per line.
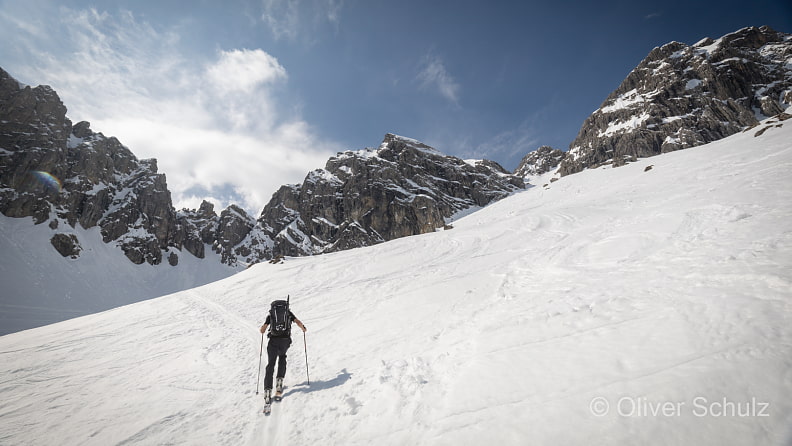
682,96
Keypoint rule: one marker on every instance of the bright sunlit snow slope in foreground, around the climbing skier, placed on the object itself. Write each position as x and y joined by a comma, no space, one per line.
616,306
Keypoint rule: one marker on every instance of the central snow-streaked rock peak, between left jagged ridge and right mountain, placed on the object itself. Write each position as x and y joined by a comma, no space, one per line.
370,196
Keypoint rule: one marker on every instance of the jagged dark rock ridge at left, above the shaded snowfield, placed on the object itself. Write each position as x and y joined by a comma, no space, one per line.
100,182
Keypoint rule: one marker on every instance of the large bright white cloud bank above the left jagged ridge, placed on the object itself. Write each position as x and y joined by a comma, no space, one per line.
213,124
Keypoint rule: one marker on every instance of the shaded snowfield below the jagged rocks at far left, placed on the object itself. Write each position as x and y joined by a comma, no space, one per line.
40,287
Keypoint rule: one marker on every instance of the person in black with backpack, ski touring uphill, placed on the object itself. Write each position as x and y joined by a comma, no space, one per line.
279,322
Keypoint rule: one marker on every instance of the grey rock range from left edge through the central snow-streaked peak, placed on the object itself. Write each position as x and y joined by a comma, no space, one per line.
66,175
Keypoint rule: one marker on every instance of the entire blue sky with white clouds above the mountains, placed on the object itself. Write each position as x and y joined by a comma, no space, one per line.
235,98
